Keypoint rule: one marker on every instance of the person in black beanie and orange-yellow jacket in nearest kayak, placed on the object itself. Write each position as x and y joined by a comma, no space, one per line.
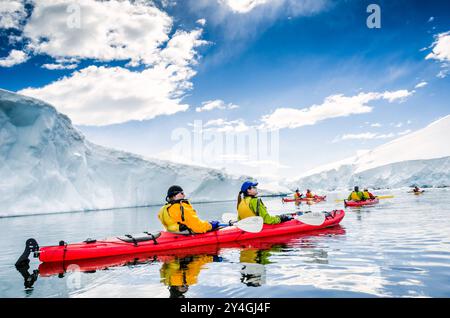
178,215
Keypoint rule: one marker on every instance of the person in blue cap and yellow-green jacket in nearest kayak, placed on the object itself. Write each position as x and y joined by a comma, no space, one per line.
250,205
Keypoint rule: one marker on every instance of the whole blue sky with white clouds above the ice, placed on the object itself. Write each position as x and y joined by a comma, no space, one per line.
265,63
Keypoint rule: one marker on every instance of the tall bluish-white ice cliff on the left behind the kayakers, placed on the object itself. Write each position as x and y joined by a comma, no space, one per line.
46,165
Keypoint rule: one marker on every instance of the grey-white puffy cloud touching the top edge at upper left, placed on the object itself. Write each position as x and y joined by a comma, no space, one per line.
104,31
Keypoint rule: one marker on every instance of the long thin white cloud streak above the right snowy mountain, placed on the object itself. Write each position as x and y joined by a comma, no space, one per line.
332,107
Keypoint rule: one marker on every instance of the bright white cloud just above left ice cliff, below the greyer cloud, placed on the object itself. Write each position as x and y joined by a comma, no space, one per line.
110,95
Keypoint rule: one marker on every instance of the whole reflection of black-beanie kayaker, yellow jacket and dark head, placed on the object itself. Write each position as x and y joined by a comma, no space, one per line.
180,273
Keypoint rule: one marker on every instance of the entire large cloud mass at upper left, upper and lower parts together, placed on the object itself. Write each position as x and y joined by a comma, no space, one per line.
114,30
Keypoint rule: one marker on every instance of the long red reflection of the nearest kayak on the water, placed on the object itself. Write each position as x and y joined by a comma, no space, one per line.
265,243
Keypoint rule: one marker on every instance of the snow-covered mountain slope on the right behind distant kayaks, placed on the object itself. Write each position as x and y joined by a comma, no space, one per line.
421,158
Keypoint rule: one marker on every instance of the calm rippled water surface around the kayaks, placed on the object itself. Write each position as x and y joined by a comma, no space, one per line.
399,248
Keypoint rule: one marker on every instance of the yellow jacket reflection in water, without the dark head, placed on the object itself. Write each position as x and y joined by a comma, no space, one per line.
183,272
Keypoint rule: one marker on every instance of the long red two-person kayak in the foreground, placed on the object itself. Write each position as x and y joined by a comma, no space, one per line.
166,241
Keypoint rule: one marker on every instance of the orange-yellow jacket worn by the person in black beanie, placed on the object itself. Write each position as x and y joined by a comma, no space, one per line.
172,215
